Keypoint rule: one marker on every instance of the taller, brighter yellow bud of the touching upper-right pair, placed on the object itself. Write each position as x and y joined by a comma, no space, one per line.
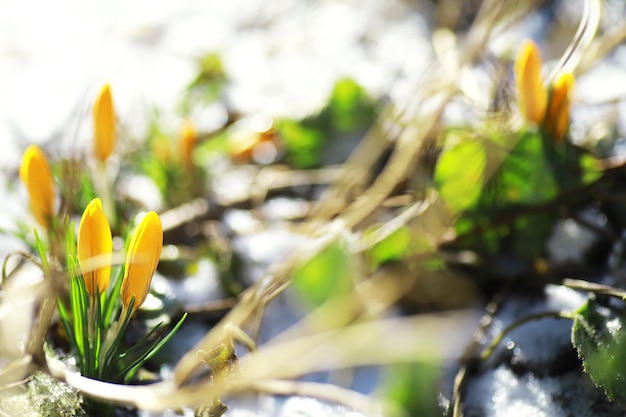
531,91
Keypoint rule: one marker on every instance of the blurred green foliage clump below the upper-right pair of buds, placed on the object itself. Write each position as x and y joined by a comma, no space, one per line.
506,188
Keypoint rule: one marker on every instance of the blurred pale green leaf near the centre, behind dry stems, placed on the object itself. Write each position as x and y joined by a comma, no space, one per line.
327,275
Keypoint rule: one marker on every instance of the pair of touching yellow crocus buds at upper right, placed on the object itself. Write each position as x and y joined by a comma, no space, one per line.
546,106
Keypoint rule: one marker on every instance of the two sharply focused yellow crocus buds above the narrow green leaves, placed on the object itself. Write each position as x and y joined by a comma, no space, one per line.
95,247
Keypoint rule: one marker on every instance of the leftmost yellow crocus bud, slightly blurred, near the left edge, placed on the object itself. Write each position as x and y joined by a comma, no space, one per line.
35,173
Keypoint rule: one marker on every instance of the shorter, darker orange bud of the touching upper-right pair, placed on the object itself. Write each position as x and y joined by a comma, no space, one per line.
556,121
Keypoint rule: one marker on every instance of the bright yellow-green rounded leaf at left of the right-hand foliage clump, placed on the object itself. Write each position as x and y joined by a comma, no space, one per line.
459,173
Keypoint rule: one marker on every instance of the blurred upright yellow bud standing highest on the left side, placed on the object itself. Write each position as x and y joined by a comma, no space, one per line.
104,124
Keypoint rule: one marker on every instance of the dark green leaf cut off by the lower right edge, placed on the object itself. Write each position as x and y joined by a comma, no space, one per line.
598,335
